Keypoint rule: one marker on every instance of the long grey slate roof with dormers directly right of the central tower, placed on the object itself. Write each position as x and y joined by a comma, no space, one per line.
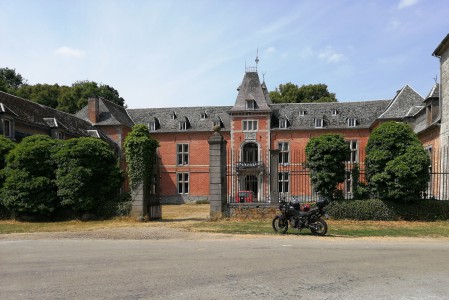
364,112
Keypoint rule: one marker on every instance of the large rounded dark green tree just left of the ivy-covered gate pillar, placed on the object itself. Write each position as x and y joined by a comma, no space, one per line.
87,176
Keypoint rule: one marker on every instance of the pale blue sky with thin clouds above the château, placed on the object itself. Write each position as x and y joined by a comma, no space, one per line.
176,53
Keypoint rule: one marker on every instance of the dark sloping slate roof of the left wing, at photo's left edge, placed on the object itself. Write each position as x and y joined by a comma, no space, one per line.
36,114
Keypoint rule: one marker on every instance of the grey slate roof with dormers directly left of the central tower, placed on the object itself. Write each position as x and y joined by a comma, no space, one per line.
193,115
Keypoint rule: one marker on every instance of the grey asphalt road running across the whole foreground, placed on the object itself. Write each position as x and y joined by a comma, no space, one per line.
225,268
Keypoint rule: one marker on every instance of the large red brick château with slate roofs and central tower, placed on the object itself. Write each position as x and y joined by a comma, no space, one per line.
259,134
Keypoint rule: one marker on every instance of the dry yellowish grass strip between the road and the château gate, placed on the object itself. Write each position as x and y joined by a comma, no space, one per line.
194,218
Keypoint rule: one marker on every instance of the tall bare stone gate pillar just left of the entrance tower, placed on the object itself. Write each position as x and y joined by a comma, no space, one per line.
217,175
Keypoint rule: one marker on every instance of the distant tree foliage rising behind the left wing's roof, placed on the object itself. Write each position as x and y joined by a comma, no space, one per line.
65,98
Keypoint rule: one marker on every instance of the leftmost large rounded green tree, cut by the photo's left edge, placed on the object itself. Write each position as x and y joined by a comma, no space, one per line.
29,186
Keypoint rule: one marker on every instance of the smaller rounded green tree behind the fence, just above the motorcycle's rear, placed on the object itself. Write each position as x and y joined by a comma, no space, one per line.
326,156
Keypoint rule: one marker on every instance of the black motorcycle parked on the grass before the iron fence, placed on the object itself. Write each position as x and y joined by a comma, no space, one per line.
311,218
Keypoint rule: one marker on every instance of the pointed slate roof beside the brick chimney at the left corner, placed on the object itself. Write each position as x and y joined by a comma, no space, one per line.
110,114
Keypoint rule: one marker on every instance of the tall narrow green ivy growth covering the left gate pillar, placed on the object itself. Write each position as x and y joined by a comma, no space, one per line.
141,158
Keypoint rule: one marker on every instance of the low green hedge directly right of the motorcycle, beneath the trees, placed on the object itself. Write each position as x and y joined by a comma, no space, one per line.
362,210
